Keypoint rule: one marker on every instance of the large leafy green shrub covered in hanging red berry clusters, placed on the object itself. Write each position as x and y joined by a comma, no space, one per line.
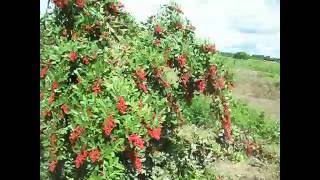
109,94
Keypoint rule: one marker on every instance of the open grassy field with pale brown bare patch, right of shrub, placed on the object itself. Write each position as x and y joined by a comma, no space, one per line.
257,83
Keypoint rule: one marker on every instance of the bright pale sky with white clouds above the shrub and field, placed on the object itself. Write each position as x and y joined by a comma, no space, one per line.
252,26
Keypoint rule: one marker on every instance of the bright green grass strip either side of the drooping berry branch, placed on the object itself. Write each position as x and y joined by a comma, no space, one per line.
244,119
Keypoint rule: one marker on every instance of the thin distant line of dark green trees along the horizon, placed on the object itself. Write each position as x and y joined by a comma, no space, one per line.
243,55
